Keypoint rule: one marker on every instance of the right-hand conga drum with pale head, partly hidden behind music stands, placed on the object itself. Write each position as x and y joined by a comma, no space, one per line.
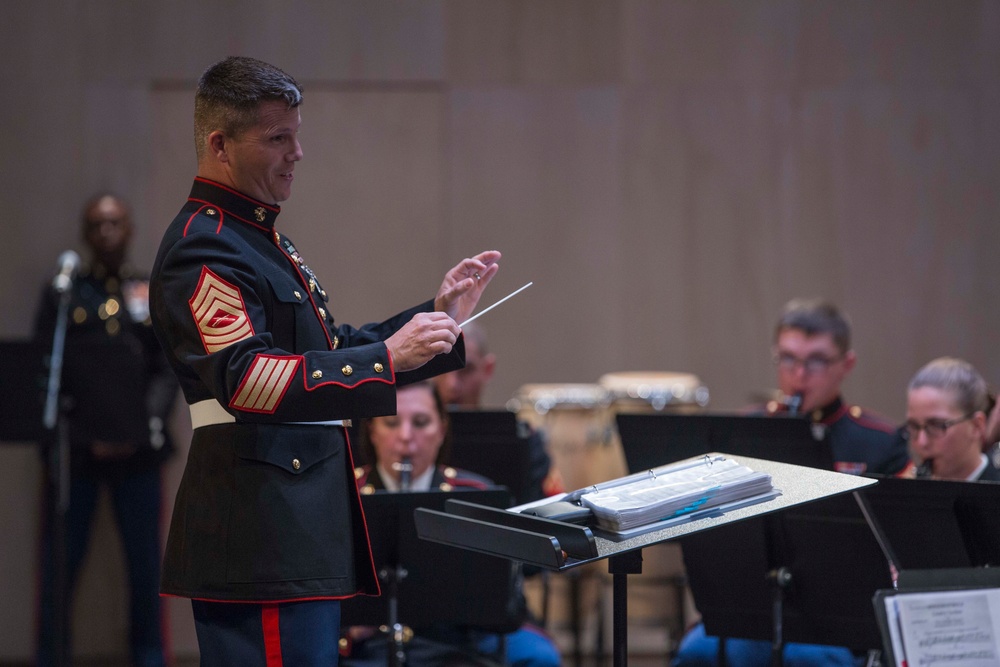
658,598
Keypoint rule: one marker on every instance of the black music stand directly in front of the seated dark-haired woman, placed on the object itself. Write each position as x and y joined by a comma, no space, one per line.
427,584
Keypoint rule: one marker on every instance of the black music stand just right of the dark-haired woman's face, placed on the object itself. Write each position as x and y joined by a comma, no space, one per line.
491,443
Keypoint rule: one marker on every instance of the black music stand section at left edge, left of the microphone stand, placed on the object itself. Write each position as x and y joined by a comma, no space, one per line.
22,391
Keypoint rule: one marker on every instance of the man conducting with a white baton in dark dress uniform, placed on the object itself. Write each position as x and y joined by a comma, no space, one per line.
267,532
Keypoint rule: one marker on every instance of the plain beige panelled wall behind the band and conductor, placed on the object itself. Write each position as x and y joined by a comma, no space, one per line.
668,173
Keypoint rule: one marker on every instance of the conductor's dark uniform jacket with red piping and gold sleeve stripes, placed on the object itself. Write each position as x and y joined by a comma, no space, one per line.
268,509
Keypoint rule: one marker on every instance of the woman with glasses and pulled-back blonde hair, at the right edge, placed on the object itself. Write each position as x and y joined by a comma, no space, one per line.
946,422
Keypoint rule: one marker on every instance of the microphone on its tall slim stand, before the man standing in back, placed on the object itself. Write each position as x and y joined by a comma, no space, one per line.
58,481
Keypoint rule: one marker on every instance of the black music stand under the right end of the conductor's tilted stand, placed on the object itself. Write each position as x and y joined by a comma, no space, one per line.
804,575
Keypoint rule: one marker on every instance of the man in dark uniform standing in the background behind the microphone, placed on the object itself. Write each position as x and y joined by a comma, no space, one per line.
120,392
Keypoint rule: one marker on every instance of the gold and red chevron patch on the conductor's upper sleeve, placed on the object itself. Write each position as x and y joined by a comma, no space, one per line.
218,309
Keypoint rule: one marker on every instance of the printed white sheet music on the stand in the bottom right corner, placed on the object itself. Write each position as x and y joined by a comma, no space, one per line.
946,628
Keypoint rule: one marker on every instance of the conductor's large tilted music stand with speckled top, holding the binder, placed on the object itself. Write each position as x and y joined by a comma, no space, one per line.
560,546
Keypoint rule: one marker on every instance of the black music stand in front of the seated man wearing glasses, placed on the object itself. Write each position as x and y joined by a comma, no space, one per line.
653,439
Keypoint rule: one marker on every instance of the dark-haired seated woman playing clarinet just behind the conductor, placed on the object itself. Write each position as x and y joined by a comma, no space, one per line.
407,450
